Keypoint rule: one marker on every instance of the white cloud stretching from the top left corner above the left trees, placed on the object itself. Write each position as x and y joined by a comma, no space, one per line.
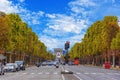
28,16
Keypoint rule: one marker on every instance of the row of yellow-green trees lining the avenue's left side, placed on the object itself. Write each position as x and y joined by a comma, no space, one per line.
16,37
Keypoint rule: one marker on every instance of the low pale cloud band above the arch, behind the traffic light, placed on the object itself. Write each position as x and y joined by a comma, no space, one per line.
52,43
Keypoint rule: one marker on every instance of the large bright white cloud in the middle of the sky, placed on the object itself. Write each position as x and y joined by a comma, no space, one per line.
64,23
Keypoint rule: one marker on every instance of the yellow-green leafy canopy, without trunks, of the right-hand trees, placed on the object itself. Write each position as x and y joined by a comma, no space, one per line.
98,38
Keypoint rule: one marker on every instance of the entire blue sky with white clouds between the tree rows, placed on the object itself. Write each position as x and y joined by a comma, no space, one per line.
58,21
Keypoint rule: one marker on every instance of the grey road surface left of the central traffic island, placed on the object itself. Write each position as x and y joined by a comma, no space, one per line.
35,73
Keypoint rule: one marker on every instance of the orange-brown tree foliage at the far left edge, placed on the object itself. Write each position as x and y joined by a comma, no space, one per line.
4,30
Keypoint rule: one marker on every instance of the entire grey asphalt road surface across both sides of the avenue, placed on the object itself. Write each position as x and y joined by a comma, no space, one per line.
53,73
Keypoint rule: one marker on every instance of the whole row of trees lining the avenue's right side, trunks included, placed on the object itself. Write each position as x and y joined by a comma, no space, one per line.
102,39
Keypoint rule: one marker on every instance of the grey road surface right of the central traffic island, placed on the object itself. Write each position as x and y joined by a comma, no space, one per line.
94,73
